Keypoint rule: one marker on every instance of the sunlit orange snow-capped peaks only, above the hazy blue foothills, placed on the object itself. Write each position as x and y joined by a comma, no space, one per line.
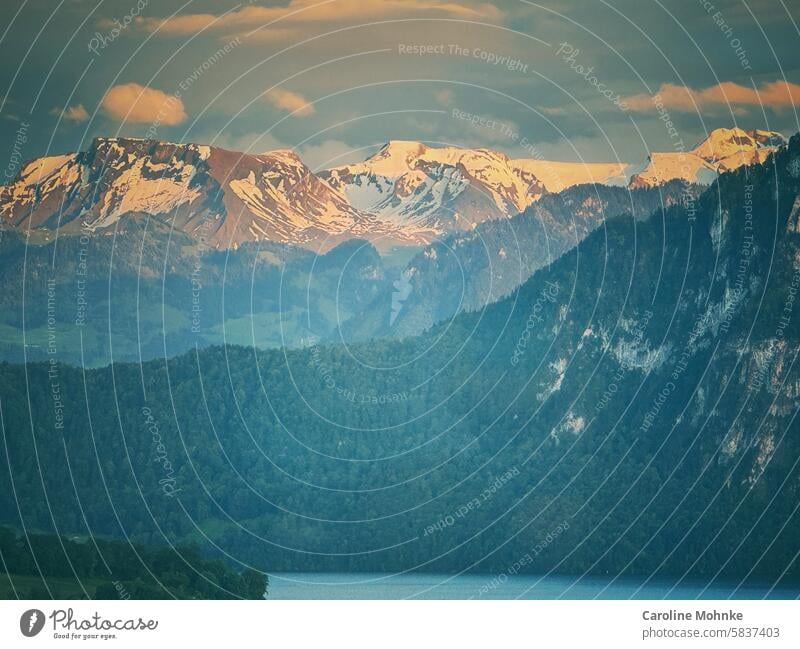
408,193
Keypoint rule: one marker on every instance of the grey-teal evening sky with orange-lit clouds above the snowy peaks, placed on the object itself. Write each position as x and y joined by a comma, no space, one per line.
335,79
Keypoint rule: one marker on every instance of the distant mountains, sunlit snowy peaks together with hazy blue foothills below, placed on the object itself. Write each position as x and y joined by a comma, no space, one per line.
162,247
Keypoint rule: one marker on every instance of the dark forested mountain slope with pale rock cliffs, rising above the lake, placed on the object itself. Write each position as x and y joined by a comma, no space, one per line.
629,410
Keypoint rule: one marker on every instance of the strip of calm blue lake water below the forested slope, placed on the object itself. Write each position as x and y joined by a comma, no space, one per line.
423,586
